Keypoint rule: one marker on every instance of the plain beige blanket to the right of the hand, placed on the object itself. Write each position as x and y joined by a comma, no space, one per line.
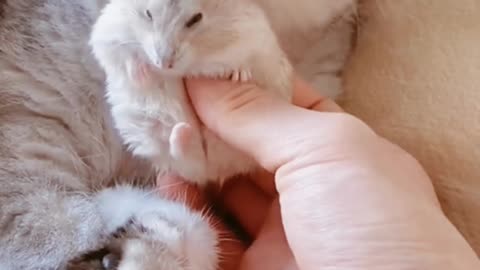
415,78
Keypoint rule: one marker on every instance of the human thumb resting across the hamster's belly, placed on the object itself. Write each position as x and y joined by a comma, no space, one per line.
253,120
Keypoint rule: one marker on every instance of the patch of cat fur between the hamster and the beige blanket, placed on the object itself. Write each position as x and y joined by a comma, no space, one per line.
317,37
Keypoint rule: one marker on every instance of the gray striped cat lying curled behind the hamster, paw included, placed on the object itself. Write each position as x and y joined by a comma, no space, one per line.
59,152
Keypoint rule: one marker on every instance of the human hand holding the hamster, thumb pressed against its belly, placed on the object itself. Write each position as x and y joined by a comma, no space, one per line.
348,199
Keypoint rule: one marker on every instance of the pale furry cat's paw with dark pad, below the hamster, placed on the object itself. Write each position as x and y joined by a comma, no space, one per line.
152,240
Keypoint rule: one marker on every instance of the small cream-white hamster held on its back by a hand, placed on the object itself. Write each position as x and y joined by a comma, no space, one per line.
147,47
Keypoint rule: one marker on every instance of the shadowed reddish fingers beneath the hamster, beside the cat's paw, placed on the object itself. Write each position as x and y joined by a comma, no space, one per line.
252,209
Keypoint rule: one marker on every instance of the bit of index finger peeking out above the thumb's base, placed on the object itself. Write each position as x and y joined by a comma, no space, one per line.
306,97
